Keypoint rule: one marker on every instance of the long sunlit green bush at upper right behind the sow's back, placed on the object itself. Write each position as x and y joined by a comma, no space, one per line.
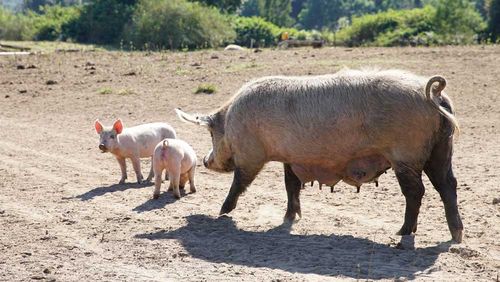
425,26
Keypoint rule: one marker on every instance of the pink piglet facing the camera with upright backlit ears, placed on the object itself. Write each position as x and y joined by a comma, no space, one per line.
132,143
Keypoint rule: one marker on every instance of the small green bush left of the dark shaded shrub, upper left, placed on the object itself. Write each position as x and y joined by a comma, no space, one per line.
48,25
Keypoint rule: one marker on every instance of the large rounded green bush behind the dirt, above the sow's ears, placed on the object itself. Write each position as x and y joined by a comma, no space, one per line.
176,24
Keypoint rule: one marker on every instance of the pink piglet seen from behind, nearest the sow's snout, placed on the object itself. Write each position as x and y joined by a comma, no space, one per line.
179,160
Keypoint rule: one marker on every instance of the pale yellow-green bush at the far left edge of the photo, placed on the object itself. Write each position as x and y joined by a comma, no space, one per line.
15,26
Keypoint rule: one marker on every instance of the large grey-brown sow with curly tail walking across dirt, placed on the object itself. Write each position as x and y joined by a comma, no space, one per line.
350,126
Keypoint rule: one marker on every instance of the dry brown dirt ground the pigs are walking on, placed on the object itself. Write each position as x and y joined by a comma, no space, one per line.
63,216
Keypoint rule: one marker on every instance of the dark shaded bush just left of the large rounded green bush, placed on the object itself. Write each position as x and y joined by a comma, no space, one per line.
100,21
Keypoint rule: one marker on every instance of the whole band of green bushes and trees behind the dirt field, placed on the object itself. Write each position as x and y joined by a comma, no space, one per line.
196,24
